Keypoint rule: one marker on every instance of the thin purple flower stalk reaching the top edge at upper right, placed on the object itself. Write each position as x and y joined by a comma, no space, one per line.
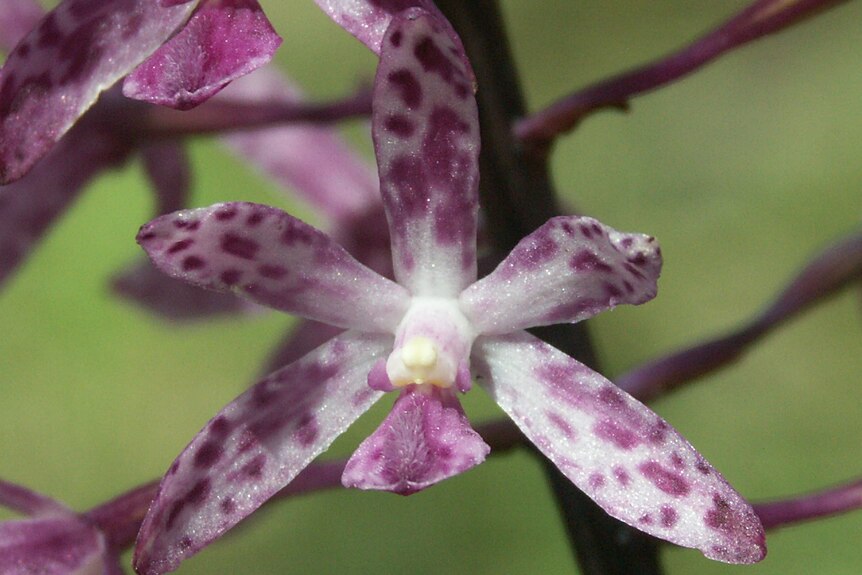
760,19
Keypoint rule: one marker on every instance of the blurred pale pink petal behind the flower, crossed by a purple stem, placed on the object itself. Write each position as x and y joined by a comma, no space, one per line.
313,161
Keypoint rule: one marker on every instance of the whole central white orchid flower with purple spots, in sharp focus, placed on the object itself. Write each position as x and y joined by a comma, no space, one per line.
425,336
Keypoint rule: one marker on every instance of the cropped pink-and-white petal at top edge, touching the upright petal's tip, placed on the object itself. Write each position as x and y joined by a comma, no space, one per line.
368,20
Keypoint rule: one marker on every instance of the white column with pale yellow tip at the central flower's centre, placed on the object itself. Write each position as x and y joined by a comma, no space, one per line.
432,341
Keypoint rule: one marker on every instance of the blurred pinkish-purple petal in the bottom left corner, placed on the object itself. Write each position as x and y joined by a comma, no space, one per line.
51,546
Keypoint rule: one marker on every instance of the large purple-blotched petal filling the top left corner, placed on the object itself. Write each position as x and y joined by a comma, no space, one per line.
59,69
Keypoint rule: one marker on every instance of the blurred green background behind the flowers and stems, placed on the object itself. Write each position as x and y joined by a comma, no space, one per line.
743,171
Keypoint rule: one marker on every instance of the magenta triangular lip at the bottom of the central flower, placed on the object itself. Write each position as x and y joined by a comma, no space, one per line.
426,438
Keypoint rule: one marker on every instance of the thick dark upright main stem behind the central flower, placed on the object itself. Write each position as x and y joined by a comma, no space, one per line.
517,197
